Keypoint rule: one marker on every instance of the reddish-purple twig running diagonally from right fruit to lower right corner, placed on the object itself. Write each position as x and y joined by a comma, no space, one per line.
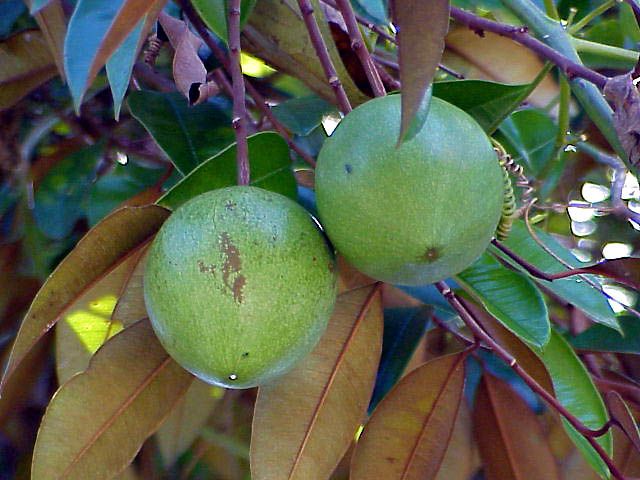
589,434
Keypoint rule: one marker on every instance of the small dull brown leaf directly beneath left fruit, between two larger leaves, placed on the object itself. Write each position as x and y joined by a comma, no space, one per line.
183,426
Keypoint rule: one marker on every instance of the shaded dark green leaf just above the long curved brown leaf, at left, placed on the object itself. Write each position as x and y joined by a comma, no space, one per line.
117,186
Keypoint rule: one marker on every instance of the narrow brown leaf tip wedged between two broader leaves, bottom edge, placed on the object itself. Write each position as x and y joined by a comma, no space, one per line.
460,459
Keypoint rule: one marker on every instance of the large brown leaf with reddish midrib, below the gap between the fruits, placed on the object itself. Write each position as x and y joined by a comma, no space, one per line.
315,410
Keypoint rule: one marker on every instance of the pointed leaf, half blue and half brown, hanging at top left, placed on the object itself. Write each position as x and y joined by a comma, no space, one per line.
96,28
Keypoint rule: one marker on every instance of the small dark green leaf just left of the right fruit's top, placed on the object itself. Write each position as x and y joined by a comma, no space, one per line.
301,115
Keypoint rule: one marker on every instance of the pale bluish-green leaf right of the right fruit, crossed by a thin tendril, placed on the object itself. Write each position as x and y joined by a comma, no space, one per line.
574,290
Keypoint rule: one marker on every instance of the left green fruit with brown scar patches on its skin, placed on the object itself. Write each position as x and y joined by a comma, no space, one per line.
239,284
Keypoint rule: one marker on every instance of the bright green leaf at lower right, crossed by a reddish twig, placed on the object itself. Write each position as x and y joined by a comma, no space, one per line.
577,393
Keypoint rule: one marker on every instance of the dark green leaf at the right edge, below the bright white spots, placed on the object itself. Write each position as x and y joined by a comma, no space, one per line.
599,338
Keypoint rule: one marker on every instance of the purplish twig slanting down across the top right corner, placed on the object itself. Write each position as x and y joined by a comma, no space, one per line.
521,35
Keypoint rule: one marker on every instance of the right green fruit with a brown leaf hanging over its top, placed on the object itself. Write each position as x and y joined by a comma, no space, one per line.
415,214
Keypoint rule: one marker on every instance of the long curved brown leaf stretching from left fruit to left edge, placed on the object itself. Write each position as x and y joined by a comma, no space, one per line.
100,251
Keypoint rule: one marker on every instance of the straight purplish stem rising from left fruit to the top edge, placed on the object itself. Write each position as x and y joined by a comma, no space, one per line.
239,121
